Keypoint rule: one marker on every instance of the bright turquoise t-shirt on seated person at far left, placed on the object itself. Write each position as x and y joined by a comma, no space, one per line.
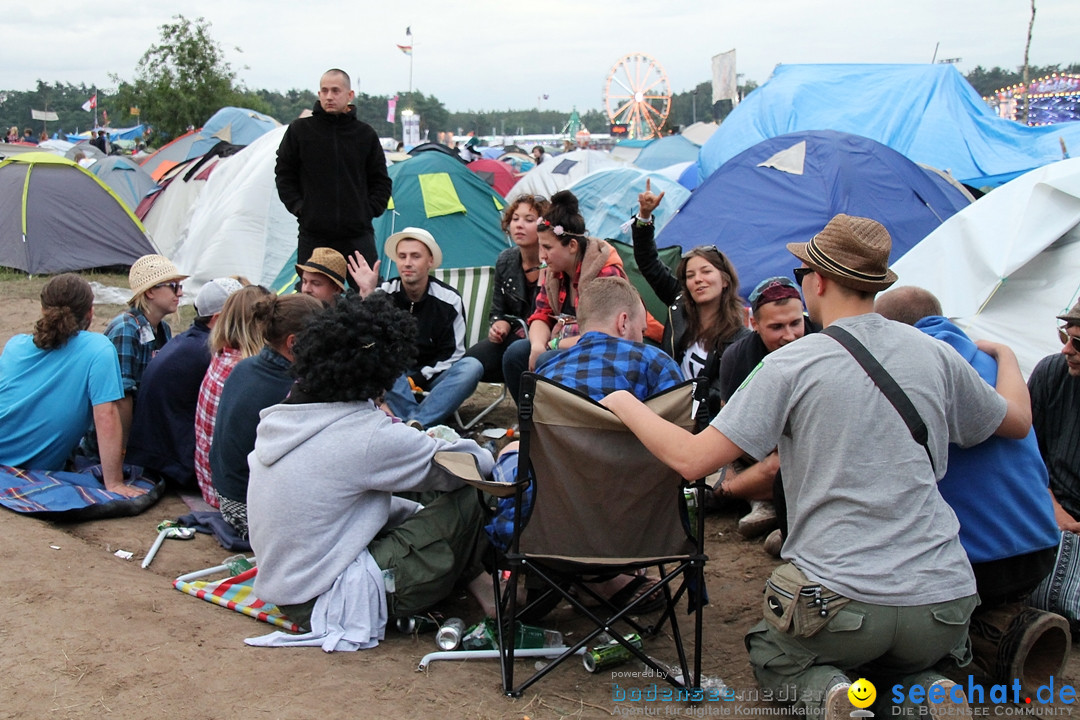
48,397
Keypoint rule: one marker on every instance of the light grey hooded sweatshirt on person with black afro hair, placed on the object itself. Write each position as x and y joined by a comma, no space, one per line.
322,478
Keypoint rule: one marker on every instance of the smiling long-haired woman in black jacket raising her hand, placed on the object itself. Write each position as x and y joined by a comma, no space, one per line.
706,315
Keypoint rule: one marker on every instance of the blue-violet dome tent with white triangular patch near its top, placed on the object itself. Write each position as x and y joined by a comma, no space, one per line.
786,189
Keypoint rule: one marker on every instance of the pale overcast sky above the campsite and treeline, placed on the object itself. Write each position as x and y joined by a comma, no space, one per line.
490,56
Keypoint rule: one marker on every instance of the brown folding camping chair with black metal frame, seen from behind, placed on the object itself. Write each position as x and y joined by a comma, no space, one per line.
603,506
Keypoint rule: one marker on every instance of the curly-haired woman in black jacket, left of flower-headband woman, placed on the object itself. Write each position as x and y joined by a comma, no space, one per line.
517,283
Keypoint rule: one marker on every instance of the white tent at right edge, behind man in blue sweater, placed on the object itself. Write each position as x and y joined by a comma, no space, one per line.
1007,265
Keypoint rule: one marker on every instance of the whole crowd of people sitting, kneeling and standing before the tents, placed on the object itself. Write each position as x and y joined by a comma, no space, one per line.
906,471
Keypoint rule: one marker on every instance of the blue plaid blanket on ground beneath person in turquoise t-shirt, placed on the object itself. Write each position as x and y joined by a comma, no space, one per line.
64,496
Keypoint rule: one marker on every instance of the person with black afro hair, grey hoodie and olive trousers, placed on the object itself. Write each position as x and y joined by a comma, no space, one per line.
339,552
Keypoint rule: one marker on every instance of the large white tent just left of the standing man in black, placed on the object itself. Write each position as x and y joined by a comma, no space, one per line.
239,226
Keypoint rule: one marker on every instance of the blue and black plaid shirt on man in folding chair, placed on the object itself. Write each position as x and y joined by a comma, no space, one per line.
598,365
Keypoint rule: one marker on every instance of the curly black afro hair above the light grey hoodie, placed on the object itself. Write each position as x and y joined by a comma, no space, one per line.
356,350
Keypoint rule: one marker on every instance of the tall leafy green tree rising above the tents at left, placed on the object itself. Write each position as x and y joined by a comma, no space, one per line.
183,80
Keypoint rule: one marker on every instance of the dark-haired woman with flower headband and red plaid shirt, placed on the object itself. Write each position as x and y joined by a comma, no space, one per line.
572,261
